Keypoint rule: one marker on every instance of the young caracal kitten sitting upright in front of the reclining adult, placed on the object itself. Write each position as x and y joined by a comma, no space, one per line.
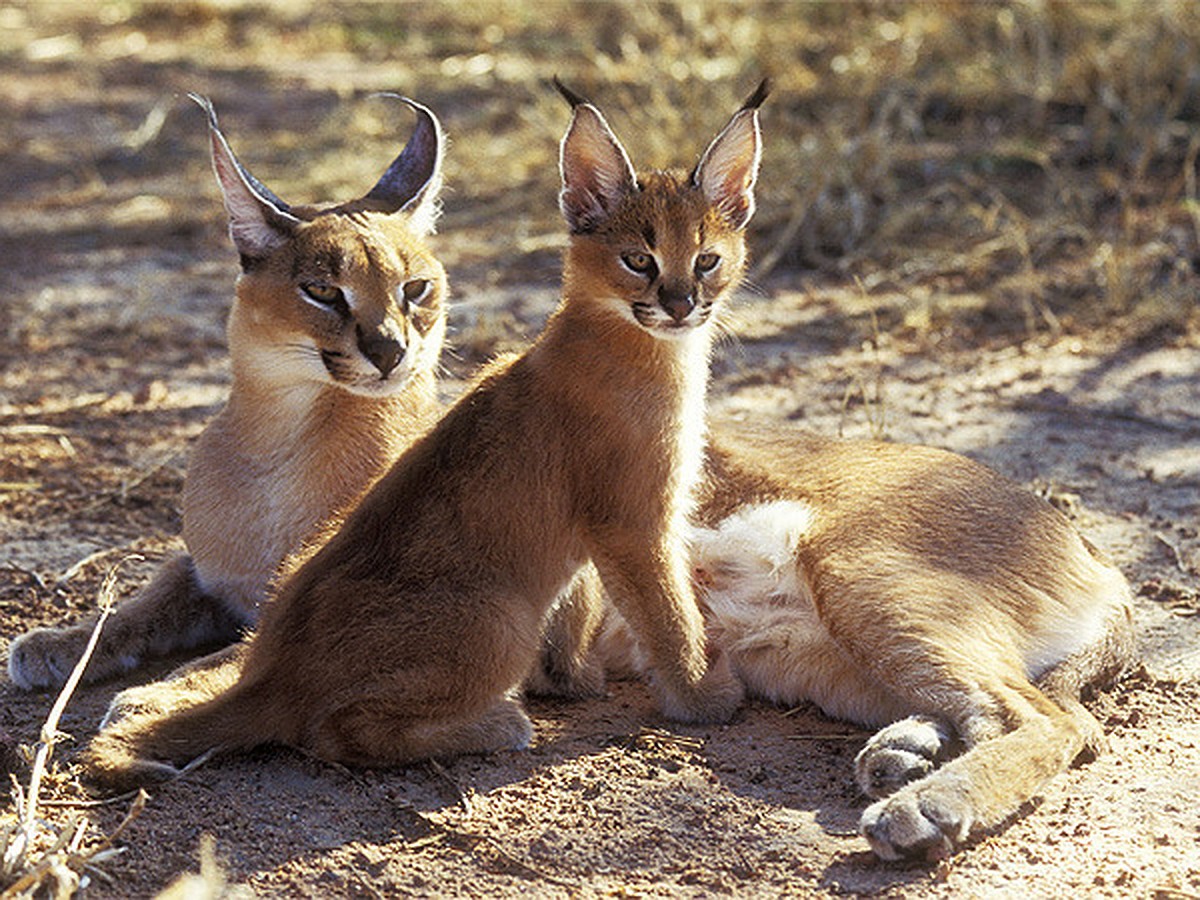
407,635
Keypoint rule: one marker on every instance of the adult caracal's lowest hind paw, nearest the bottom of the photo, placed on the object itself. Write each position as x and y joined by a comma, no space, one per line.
921,821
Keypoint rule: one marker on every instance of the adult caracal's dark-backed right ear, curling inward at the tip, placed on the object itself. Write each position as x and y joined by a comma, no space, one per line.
413,181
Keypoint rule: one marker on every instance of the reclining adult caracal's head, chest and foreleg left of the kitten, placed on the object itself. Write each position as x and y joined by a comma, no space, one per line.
334,337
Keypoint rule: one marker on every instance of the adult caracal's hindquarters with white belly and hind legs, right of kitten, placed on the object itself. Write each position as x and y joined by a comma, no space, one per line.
916,590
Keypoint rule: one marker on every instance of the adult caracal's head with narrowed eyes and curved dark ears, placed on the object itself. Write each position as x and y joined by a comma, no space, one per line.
345,296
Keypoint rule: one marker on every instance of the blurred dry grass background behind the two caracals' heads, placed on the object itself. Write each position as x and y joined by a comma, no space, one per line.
998,170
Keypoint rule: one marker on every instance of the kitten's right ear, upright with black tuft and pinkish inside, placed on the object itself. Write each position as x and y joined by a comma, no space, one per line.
728,171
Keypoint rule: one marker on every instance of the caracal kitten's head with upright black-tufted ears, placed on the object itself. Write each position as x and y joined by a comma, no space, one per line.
661,249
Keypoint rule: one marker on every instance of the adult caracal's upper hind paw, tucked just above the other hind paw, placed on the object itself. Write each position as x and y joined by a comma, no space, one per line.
901,754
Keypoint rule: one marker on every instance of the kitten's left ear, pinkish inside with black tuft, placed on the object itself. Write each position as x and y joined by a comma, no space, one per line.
596,169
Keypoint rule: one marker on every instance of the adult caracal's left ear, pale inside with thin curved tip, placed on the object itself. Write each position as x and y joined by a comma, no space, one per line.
259,220
